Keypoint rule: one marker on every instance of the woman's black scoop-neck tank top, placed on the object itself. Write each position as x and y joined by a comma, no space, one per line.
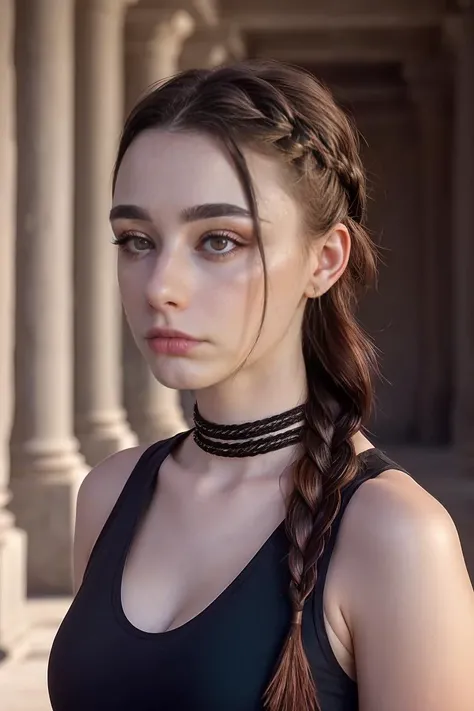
221,660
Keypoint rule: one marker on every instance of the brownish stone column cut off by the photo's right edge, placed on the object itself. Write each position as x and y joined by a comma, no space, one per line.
463,237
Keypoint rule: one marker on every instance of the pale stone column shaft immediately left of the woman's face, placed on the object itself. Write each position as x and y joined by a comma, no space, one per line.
100,419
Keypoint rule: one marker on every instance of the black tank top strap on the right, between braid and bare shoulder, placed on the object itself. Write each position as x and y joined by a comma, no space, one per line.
372,463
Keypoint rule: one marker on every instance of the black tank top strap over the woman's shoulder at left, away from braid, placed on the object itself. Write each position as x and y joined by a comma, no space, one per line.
131,503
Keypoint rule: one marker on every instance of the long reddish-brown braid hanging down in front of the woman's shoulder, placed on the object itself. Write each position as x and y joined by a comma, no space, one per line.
326,466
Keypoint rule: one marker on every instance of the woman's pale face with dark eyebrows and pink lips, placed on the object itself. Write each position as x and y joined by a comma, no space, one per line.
189,260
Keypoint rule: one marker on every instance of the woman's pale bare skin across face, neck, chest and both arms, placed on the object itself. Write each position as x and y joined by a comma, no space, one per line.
399,605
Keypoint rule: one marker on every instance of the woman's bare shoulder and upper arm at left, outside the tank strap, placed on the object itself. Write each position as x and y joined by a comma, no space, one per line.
96,498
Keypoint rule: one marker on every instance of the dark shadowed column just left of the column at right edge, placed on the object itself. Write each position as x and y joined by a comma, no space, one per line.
427,82
